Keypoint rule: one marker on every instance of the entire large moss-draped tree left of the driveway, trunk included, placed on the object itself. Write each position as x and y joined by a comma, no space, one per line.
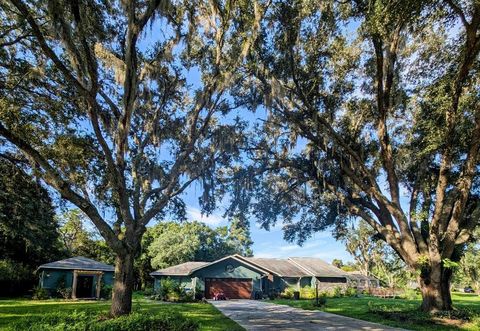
97,96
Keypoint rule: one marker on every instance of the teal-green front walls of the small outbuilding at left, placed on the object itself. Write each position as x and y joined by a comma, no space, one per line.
50,279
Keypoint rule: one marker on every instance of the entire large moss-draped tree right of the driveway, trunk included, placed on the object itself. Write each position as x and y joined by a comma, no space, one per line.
373,112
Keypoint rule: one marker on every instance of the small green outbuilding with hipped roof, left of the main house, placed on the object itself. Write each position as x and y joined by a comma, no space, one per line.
83,275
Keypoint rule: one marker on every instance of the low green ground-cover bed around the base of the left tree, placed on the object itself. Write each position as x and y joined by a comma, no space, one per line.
89,321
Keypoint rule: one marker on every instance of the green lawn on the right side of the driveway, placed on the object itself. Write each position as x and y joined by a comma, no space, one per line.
410,318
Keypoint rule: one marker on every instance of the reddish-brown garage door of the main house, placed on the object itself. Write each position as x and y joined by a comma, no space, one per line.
233,288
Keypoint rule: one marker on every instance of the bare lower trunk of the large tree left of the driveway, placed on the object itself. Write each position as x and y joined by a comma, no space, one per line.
122,286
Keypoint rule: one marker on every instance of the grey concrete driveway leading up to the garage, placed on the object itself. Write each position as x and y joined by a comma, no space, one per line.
259,315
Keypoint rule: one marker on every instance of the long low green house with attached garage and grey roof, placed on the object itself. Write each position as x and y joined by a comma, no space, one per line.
247,277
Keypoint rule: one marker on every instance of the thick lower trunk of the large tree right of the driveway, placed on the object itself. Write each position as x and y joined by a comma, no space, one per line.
435,286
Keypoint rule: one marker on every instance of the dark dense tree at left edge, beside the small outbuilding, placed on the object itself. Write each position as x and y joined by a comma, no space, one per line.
28,229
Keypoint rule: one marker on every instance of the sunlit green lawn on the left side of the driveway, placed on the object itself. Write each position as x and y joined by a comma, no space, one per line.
207,316
